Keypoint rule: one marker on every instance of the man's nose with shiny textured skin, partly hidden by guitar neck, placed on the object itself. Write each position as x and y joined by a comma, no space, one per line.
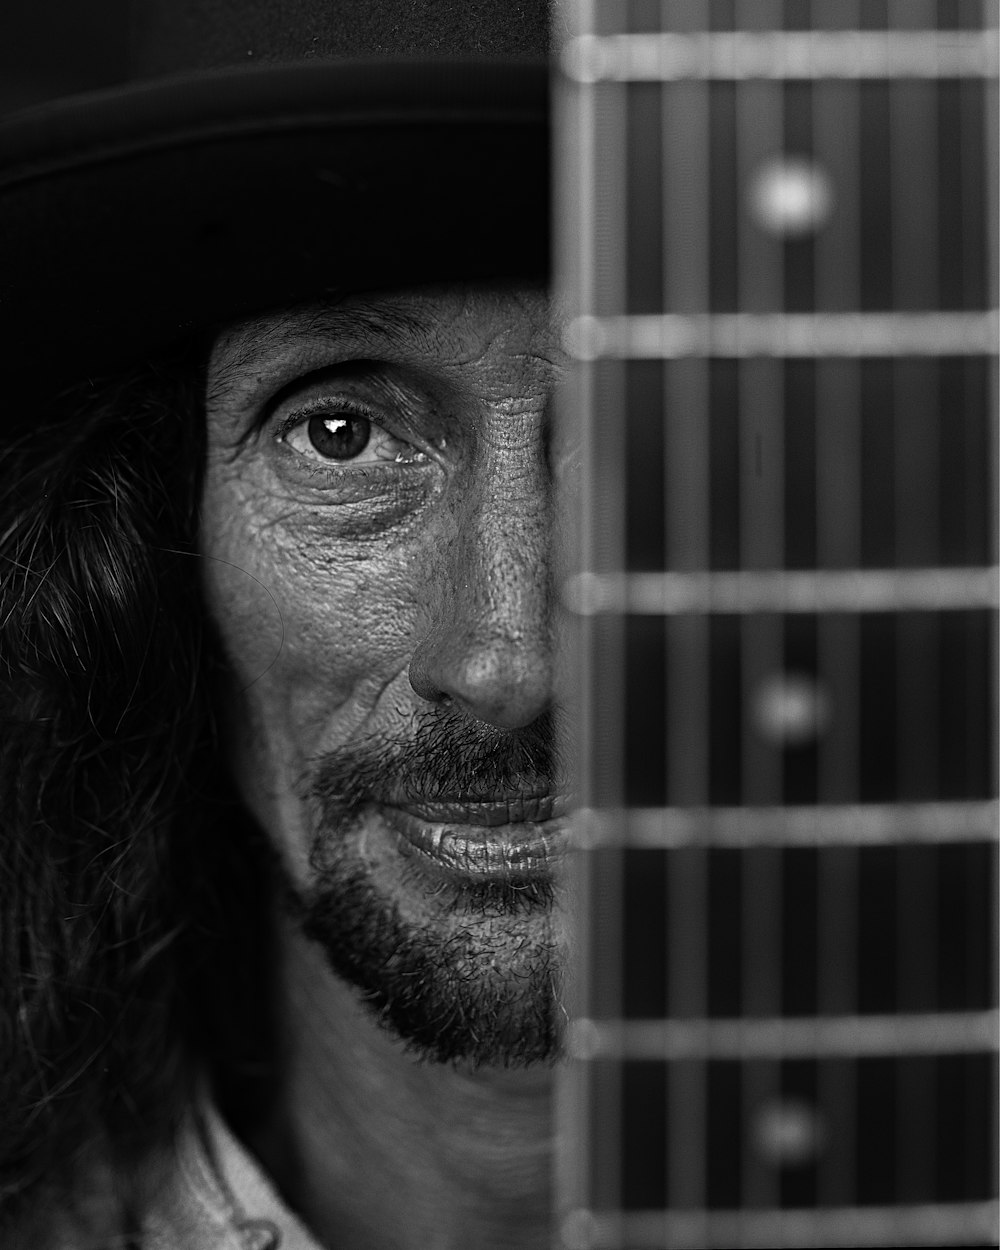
489,649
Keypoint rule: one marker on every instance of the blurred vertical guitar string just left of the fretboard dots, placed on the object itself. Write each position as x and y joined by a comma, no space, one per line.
759,139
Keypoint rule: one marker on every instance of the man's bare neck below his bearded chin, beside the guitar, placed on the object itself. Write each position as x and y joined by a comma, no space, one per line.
377,1149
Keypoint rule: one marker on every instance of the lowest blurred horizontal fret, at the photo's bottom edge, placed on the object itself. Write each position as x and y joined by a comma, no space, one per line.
928,1224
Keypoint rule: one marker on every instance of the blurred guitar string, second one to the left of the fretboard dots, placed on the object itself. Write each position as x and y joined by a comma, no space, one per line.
687,419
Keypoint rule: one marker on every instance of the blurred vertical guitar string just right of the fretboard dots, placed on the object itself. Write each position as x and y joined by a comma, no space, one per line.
837,138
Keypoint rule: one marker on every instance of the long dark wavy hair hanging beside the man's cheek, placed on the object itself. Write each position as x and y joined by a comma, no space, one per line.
111,851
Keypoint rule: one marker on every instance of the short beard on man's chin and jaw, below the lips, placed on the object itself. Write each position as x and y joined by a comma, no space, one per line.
484,991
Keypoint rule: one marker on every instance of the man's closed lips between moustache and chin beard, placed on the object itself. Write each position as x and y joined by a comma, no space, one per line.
499,838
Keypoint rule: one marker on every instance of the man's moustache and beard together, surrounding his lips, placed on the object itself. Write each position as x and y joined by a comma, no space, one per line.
476,977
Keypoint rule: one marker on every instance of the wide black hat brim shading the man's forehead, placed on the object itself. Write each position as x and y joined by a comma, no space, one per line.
132,218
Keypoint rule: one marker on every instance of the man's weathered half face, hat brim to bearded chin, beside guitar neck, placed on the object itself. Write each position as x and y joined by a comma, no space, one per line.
377,521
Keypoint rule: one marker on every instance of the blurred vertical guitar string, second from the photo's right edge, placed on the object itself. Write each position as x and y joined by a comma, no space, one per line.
916,183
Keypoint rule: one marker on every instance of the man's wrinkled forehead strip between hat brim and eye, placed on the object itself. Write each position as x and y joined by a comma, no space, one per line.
446,327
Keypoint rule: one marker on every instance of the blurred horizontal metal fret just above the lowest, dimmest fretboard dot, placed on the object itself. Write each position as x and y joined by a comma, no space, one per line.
753,1039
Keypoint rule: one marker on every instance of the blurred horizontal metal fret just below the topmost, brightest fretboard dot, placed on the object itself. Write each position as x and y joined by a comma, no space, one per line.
791,336
